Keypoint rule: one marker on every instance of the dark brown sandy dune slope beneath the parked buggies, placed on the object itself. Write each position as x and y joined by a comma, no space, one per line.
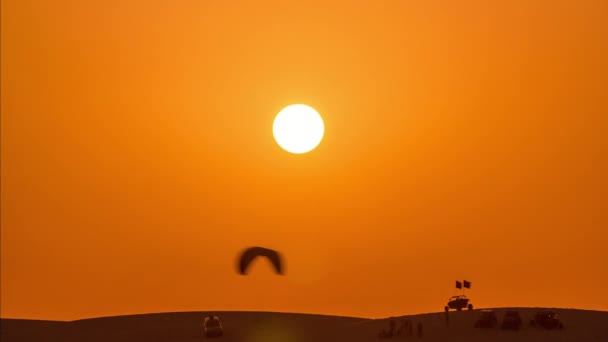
581,326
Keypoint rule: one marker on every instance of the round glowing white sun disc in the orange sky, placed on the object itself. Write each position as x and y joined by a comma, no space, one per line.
298,128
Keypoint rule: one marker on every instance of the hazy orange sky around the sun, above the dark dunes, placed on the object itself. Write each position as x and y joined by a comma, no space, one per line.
464,140
